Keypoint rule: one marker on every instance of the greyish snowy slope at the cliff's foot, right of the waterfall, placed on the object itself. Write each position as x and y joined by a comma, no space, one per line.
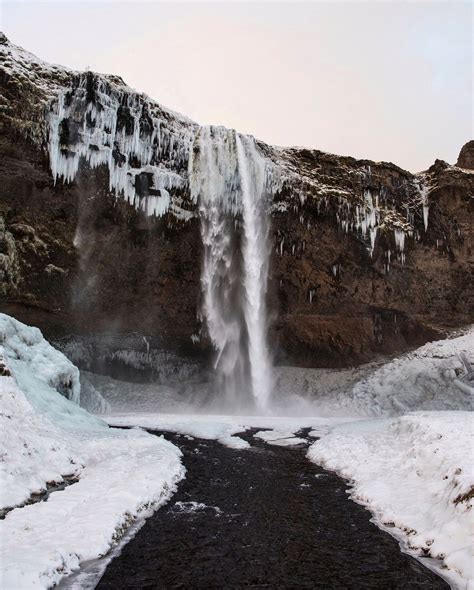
424,379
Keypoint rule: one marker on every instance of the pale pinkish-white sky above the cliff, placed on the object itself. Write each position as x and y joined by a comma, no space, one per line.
380,80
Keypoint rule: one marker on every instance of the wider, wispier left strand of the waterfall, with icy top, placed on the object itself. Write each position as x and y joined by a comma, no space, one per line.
211,182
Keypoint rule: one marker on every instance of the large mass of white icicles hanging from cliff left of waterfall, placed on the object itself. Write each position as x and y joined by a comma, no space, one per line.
145,151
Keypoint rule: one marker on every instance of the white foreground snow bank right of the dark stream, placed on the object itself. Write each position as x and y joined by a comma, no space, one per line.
416,474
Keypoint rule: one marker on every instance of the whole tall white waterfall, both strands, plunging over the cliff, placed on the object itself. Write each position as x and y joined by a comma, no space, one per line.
227,178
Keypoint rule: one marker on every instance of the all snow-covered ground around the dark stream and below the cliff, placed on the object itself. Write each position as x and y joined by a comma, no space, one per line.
412,469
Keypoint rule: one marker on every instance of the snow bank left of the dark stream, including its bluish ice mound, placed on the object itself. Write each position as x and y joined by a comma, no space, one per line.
46,437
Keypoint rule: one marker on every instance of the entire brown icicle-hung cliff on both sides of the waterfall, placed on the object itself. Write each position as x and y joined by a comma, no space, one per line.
99,231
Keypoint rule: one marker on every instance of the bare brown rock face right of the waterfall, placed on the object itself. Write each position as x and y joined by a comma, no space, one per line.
338,299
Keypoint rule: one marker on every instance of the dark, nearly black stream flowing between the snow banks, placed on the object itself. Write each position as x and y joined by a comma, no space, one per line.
271,519
